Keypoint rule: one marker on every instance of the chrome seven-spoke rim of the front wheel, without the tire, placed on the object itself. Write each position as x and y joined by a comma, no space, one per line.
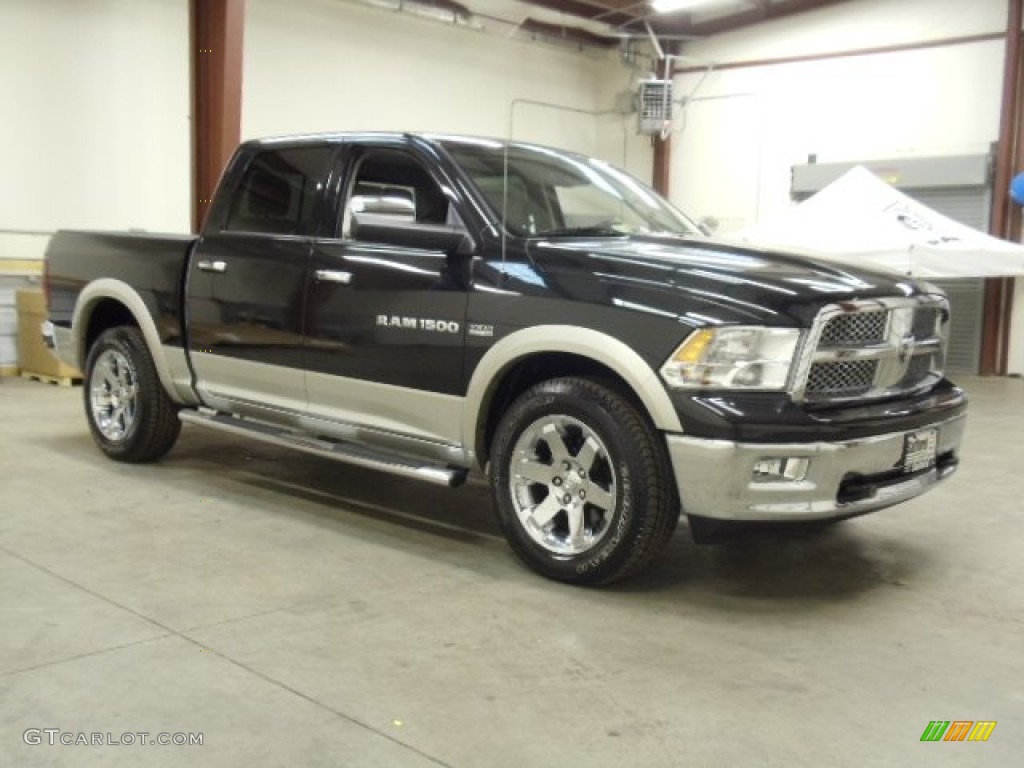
564,485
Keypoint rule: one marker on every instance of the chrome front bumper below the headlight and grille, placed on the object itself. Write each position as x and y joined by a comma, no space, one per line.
716,478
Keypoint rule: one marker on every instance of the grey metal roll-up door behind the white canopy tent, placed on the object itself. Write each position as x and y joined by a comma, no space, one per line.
957,187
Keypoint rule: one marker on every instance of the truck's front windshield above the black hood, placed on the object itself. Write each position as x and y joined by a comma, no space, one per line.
551,194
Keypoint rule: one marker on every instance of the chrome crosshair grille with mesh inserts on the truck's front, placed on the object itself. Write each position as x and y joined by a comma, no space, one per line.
875,350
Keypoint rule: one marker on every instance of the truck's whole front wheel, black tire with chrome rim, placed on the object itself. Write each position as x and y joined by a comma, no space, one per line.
582,484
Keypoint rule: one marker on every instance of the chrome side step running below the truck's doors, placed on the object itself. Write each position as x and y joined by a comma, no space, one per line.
336,450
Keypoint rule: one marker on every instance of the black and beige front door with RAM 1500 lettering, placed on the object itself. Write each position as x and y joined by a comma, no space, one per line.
387,325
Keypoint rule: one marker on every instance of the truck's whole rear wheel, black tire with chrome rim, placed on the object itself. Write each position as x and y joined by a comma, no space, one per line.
131,416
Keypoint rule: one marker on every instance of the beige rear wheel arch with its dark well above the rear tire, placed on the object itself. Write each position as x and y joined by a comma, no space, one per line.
108,303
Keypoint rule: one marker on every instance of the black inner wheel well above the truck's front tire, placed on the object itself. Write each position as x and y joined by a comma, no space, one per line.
525,373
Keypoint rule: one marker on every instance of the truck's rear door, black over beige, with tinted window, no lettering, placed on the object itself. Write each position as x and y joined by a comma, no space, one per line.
247,284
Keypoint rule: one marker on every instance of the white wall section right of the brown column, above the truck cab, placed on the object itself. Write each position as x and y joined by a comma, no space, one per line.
329,66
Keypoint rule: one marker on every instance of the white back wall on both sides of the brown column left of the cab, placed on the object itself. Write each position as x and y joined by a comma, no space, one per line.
96,99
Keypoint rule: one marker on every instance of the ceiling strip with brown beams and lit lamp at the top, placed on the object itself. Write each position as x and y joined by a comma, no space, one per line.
626,18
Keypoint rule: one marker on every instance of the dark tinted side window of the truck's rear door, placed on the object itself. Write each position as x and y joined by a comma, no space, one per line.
279,192
